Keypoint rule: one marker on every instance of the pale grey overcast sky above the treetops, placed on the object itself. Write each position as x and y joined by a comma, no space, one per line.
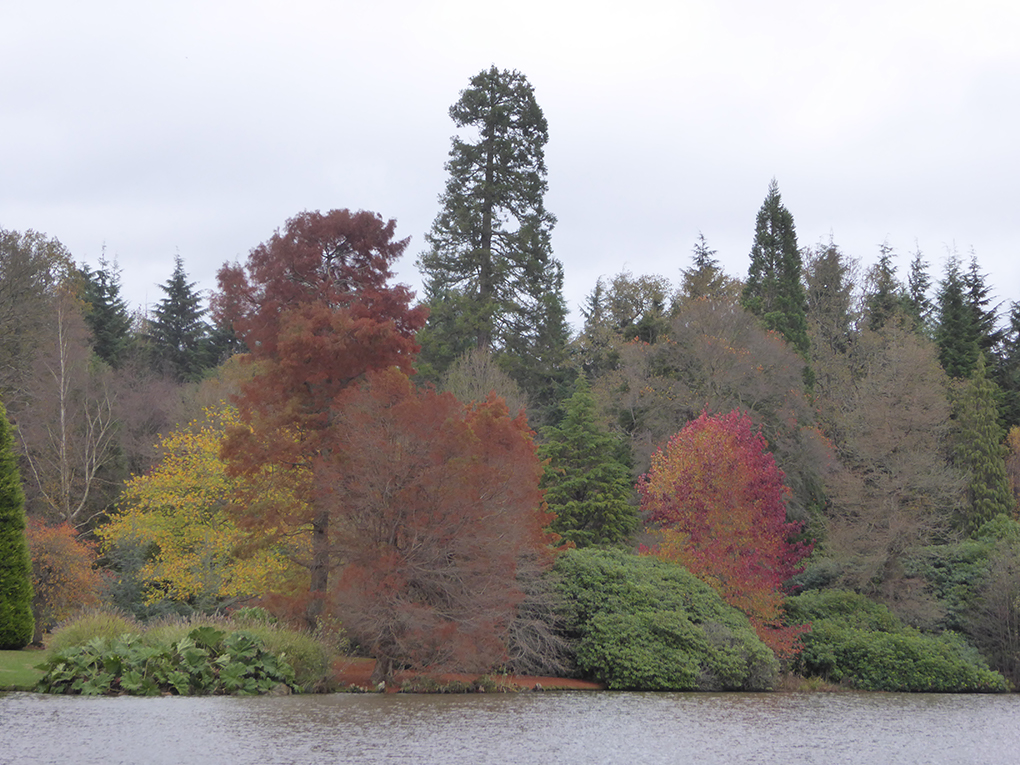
199,128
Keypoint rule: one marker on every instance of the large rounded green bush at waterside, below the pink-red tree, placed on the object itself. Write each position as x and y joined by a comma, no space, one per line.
645,625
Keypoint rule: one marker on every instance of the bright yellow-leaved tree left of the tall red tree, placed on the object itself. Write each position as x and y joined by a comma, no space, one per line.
180,513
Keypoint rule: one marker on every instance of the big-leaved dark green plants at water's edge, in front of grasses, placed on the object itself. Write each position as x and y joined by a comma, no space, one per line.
207,661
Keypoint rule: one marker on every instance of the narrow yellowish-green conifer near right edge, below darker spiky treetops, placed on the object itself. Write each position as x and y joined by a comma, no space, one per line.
981,451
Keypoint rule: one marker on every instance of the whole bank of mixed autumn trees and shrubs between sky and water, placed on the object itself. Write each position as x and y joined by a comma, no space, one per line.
810,469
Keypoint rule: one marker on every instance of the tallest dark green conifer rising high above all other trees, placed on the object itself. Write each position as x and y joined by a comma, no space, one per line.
491,280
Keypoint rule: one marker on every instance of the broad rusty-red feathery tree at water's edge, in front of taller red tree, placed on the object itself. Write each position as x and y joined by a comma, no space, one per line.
435,505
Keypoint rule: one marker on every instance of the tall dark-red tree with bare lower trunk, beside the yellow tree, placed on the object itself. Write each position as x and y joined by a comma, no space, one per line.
315,310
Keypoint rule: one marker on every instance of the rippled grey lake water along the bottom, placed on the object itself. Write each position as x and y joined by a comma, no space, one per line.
523,730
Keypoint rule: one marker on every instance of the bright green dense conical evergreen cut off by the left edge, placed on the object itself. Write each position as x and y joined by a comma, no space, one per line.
17,623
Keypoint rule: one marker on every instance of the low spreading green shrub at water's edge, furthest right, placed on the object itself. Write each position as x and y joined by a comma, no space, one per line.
860,643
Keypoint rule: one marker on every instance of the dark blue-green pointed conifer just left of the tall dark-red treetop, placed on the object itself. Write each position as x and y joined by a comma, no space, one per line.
177,332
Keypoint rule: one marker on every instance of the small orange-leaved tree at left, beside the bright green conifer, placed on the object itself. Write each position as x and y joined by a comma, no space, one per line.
63,574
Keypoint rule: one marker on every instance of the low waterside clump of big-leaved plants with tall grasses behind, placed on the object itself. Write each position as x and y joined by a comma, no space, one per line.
104,653
